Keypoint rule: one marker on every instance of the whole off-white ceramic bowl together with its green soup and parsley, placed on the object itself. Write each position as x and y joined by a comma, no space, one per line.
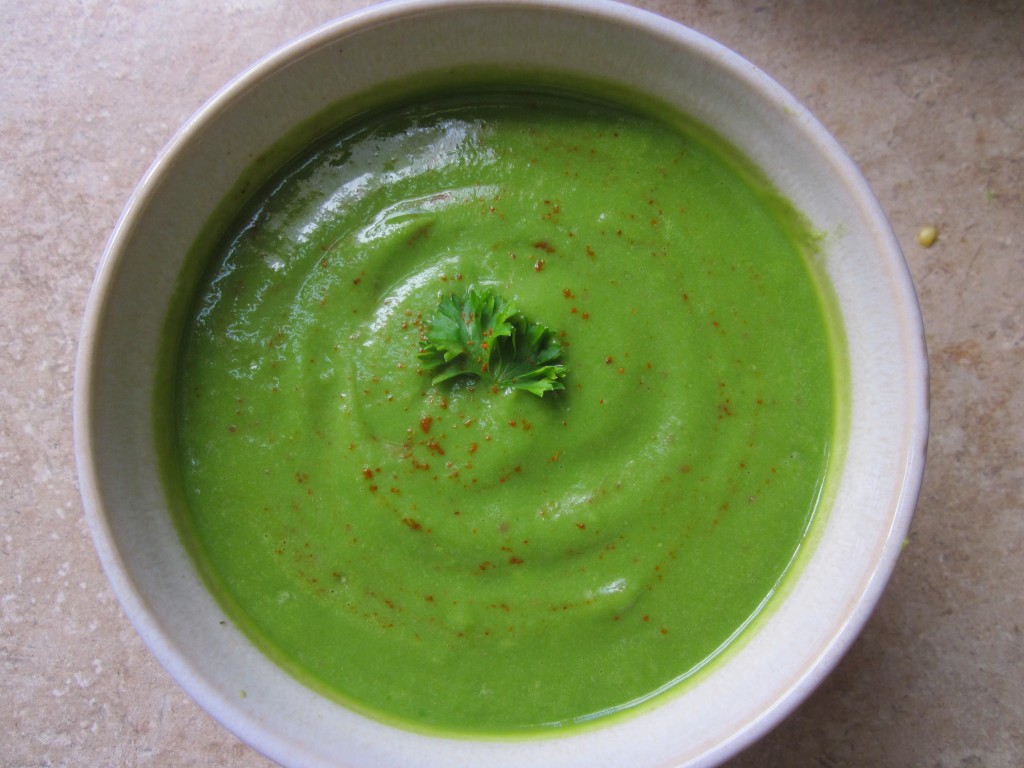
501,383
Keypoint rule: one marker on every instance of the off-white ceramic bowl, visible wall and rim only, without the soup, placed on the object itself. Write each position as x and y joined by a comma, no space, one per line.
375,52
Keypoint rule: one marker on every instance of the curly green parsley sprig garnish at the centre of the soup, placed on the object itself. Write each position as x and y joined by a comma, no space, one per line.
485,336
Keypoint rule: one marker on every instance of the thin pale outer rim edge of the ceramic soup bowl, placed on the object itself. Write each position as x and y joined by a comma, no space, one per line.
125,588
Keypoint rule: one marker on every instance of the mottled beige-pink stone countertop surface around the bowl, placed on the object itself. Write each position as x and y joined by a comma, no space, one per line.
927,97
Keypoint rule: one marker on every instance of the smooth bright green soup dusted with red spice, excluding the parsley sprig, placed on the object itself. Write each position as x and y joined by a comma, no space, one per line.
465,561
